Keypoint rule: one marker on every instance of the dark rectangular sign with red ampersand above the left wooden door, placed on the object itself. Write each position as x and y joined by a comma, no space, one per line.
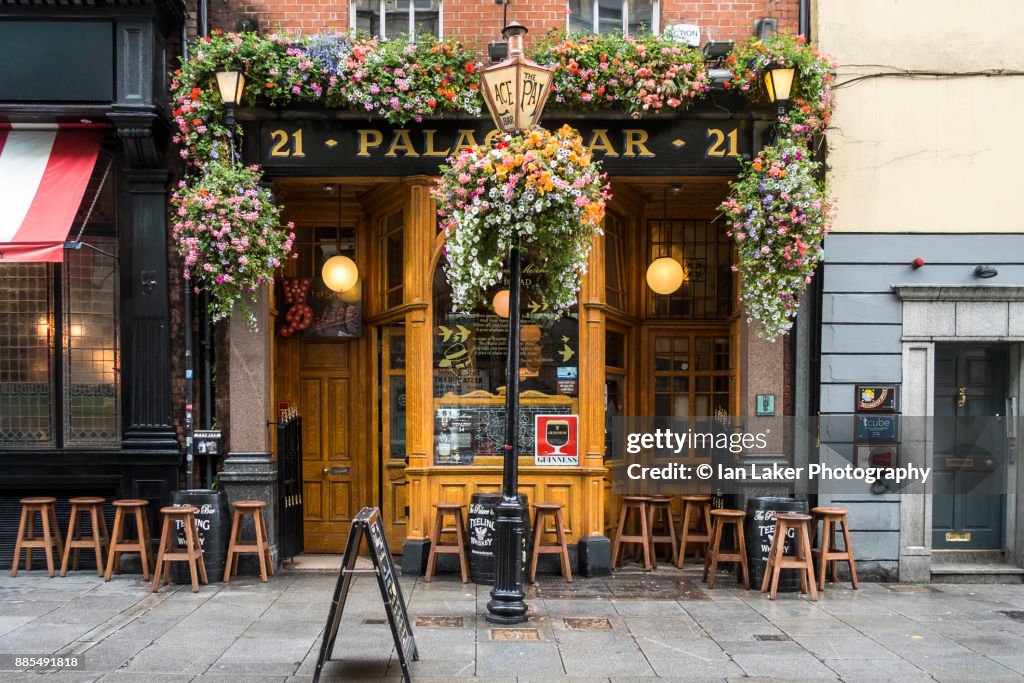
311,310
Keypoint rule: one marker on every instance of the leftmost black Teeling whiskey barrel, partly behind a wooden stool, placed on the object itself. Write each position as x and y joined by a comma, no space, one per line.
214,523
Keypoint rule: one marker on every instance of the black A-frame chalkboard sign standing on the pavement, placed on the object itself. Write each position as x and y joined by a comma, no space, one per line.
368,524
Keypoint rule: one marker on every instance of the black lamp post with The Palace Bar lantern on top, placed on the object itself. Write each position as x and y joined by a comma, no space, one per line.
516,91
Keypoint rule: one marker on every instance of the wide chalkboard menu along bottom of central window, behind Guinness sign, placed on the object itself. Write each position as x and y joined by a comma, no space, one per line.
480,431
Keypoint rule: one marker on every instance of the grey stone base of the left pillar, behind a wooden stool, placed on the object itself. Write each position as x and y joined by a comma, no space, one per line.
253,477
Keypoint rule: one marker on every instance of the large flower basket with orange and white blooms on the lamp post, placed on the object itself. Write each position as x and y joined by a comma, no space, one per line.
541,192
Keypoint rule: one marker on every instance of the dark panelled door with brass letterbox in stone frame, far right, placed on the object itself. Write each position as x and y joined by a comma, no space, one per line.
970,449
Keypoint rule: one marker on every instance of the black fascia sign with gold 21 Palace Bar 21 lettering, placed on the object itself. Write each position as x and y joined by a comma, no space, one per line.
651,148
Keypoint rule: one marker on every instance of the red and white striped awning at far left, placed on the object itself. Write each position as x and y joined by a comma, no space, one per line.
45,170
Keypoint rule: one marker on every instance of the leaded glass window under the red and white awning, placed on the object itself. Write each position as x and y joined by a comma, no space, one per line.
60,385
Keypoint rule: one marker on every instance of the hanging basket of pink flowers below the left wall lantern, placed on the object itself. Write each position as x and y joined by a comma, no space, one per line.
228,231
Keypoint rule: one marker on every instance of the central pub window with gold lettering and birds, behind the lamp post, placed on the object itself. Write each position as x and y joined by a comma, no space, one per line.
470,376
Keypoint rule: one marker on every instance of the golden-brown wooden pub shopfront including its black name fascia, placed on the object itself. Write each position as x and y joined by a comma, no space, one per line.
402,398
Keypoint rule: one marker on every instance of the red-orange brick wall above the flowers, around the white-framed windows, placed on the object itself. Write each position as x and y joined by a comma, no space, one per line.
481,21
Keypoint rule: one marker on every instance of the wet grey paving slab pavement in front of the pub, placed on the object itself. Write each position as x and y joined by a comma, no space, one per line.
634,627
